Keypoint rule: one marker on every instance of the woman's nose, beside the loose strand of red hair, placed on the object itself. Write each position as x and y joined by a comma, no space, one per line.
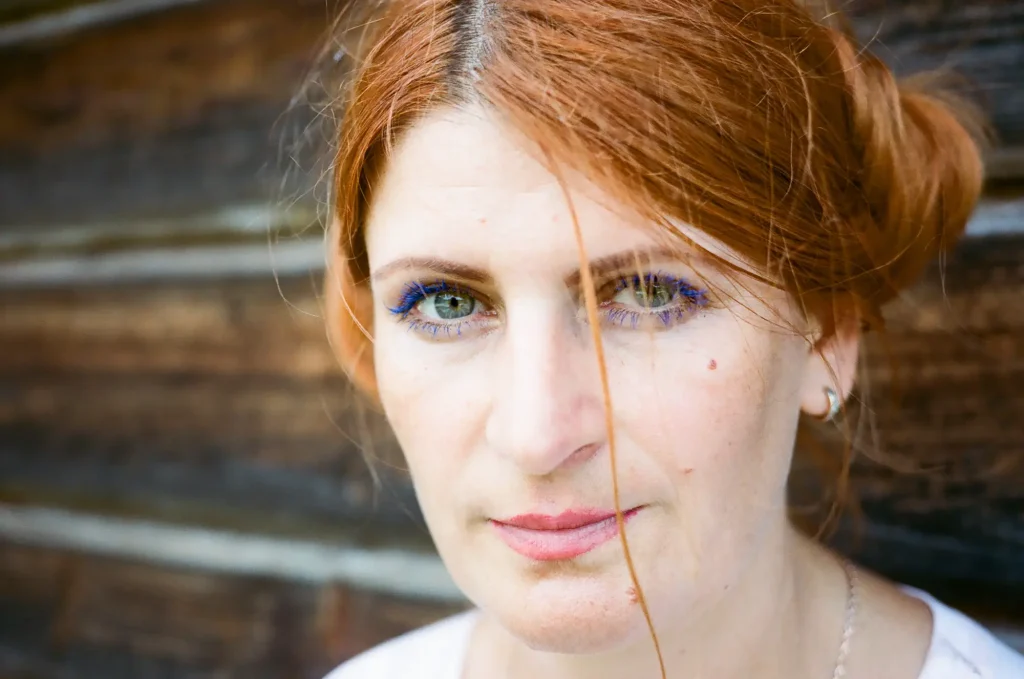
547,411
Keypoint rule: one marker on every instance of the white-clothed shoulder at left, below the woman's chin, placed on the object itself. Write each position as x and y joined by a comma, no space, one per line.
435,652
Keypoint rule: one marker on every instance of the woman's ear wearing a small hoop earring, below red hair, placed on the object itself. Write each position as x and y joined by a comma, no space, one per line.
833,363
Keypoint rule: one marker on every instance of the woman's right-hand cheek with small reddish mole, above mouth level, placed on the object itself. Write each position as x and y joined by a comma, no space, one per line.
716,415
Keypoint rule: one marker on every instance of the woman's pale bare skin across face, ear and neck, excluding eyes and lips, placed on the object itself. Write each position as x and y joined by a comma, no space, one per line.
503,415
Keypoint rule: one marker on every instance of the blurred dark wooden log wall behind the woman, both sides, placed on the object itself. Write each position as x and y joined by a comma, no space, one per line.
184,485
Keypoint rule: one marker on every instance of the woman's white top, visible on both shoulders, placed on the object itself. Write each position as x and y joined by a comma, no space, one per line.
961,649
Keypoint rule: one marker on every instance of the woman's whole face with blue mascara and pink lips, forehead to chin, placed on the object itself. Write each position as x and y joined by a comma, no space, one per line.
489,374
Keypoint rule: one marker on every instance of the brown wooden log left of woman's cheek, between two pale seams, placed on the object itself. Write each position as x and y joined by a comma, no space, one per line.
231,404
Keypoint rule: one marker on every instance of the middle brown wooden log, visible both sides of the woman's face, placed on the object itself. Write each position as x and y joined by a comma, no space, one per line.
220,404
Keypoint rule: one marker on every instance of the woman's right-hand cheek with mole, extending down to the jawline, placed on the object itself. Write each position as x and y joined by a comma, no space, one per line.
710,427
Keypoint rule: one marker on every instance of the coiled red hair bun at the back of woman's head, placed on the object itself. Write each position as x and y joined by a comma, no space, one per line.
922,171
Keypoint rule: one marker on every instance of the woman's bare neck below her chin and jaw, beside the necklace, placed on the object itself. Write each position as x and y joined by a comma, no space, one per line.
783,619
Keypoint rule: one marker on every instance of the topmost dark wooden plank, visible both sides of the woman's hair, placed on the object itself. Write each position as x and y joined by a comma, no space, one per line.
91,131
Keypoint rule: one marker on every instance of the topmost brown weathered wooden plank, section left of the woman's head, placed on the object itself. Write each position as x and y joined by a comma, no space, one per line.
165,114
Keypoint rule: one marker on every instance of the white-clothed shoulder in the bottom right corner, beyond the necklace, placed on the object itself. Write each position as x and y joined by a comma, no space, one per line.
962,649
